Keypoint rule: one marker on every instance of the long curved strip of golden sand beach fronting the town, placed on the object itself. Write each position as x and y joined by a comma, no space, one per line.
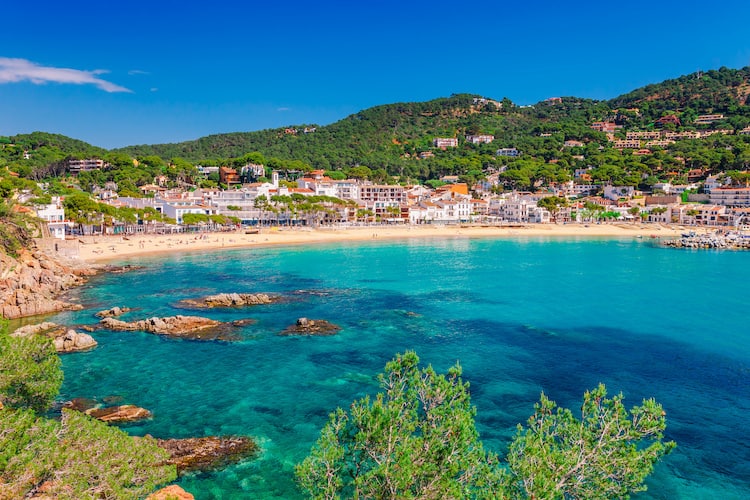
106,248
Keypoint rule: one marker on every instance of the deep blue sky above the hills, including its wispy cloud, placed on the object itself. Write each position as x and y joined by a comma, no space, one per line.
120,73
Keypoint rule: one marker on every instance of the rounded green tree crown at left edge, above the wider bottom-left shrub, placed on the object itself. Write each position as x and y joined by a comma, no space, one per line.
30,373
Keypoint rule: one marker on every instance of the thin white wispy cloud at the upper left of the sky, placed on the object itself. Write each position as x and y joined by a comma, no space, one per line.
22,70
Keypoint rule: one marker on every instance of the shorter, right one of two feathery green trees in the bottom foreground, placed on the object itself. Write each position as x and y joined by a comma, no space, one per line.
602,455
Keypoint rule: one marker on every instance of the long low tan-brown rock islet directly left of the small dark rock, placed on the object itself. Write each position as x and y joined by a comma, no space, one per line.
187,327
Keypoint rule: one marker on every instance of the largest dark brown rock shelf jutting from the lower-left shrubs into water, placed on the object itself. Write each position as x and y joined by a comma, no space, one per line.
206,453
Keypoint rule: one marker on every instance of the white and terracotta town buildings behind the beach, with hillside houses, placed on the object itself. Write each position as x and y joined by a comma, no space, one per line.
707,200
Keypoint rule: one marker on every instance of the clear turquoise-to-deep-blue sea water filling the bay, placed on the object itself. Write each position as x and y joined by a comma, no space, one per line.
522,316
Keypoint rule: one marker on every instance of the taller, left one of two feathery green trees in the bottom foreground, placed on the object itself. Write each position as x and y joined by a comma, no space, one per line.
415,440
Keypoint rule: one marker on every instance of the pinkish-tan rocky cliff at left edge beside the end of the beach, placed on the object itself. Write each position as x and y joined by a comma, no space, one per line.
31,284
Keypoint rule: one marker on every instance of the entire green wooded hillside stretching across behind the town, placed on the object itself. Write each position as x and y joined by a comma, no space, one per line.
396,141
